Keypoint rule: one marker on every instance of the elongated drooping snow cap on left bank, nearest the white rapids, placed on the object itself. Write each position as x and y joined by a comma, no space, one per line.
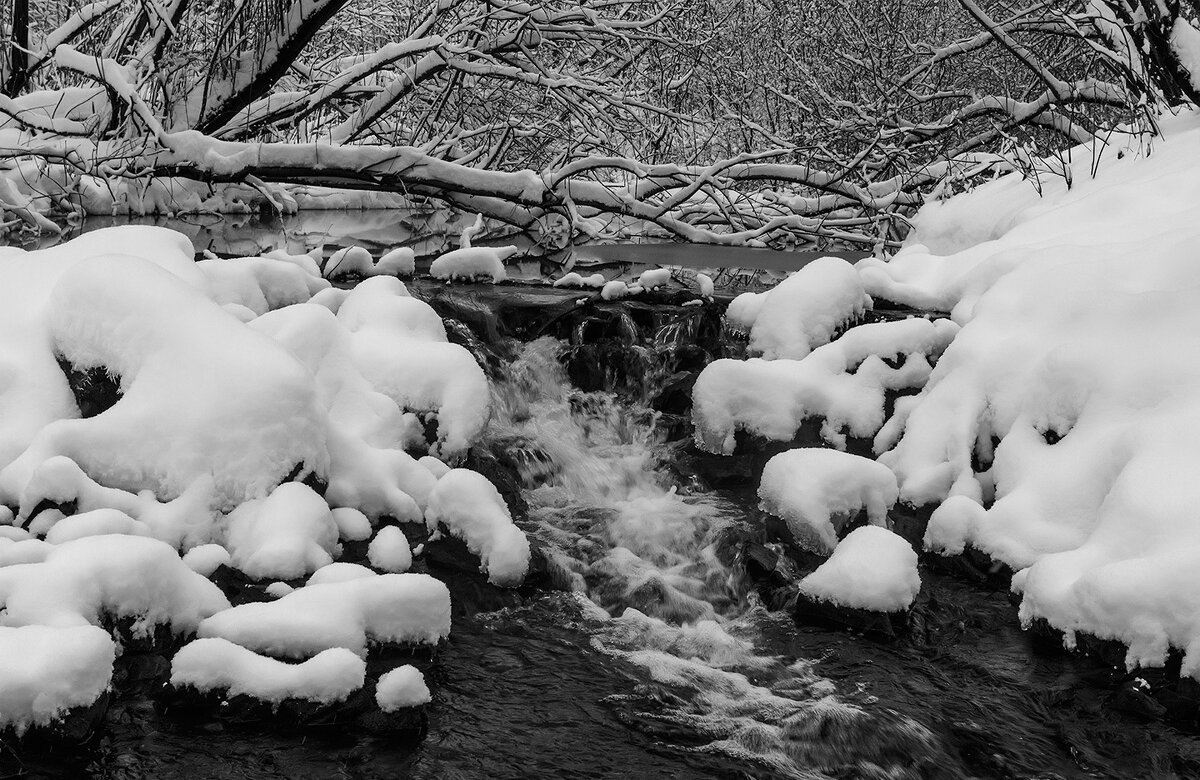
473,511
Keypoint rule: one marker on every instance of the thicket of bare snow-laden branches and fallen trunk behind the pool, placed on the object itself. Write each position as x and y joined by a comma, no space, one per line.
715,121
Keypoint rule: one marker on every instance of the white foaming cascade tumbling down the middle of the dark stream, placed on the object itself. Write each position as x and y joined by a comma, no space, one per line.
644,556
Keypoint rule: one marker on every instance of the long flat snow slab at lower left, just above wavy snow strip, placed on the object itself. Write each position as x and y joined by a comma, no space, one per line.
411,609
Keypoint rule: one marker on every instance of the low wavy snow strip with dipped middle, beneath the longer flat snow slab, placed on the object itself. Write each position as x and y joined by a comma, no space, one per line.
215,664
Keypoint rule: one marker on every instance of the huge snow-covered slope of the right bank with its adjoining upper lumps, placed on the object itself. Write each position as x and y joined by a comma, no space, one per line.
1059,430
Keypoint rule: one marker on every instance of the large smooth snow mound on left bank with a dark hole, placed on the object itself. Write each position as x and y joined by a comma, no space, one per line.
251,411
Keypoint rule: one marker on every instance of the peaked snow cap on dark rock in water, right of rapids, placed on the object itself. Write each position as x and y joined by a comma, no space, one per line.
872,569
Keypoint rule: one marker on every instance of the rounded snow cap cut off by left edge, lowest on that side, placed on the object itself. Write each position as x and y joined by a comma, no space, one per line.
49,671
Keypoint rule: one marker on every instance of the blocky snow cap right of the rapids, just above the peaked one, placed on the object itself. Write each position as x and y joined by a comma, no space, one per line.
817,491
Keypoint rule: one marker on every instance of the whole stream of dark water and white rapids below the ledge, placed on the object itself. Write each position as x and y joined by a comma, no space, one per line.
653,655
